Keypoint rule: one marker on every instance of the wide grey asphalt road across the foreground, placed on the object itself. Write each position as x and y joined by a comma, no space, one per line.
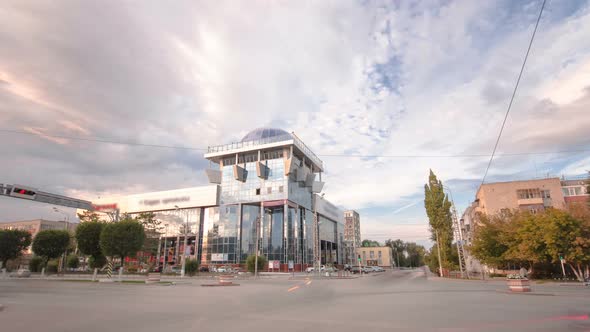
400,300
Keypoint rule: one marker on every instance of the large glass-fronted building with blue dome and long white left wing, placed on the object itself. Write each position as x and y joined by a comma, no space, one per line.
269,173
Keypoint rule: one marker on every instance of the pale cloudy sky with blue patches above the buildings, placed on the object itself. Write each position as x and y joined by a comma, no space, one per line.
382,91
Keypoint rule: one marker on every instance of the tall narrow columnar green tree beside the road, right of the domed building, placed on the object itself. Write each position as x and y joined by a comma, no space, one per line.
438,209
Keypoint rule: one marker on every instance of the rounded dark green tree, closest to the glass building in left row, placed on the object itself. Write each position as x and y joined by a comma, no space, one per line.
122,239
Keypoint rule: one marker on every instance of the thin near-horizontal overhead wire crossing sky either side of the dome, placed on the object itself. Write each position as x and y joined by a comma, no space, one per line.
111,141
